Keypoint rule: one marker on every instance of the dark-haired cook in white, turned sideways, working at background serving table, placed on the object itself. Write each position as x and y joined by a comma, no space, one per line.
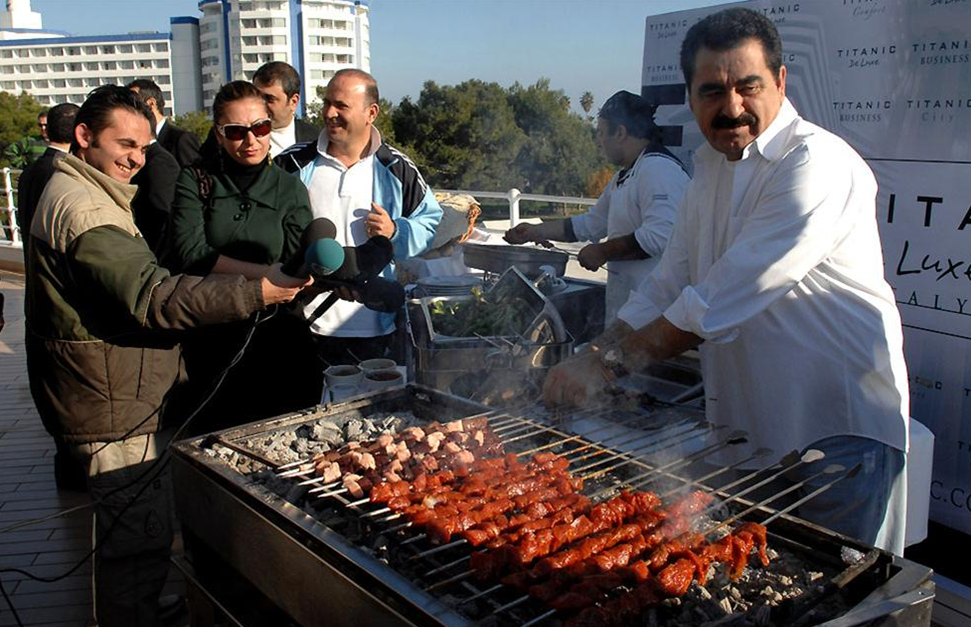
635,212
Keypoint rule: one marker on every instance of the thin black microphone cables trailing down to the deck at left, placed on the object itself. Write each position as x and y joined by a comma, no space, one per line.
158,465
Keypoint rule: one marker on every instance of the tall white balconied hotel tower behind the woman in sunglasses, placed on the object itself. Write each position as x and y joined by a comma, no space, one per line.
317,37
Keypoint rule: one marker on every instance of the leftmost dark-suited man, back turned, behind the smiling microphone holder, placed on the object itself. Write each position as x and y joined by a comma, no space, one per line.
59,127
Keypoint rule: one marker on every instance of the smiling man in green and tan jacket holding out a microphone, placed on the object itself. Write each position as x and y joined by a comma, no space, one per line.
102,353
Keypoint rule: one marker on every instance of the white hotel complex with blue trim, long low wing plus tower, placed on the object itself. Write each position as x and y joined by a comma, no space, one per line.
230,41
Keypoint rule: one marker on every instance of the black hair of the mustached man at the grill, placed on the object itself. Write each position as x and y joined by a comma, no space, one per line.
726,30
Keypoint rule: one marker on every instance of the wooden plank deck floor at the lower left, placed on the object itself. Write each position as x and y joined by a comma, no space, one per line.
53,547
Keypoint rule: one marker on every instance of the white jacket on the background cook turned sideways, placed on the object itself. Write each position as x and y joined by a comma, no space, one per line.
641,200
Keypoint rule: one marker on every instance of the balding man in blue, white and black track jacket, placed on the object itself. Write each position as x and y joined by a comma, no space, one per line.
366,188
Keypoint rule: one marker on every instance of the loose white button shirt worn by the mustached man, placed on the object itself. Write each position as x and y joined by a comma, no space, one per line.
775,261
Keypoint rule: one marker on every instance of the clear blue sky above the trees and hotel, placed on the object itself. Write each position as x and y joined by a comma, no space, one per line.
580,45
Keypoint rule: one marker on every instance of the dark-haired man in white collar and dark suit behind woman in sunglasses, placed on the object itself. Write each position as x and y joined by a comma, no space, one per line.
280,85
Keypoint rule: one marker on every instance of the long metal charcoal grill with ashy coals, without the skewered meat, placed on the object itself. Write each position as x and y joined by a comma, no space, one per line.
268,550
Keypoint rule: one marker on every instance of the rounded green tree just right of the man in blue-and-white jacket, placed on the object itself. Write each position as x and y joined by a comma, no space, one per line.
465,135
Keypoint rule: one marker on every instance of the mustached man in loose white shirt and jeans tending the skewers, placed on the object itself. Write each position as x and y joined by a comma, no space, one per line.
775,272
